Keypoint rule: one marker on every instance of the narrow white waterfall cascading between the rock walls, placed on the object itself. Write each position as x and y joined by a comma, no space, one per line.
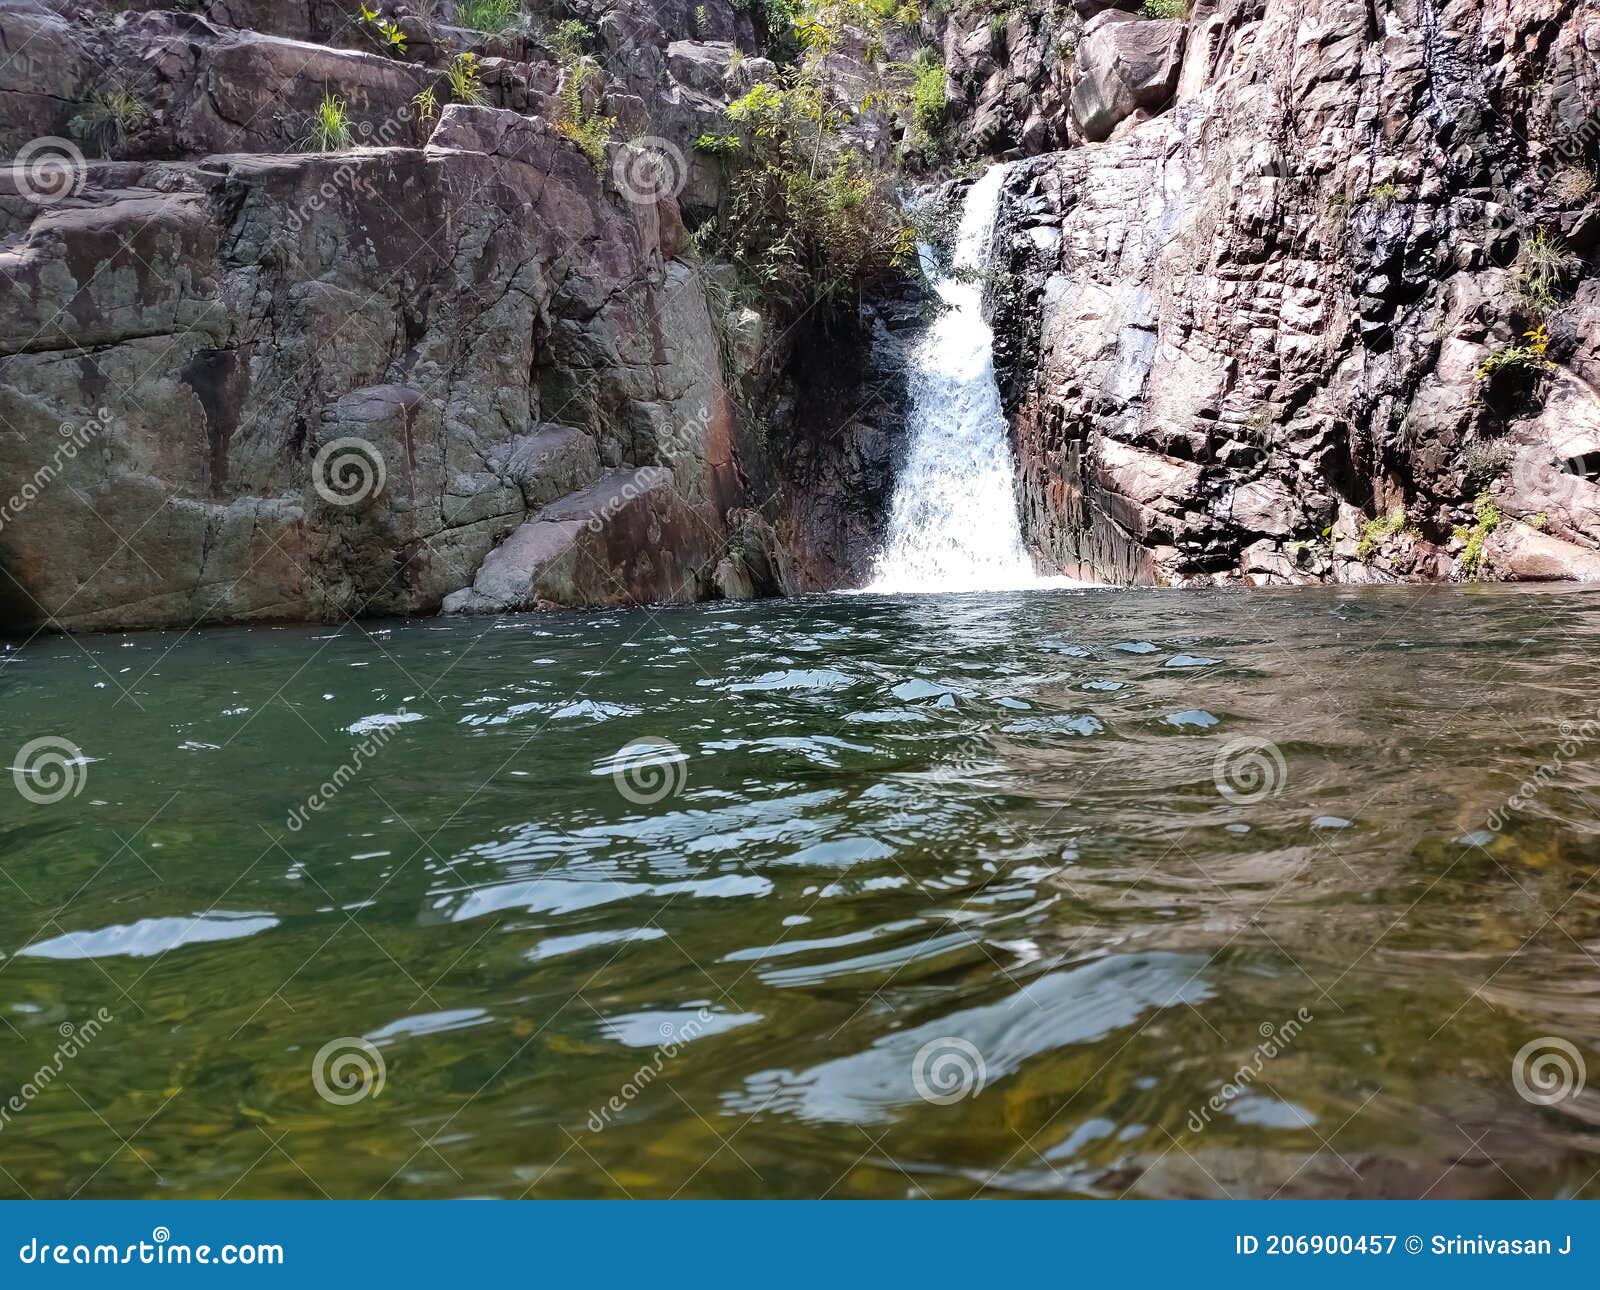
953,523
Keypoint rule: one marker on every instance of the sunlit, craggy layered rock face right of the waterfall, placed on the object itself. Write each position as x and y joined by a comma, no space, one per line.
1284,308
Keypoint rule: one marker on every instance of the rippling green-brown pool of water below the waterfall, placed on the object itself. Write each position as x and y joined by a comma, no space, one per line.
937,897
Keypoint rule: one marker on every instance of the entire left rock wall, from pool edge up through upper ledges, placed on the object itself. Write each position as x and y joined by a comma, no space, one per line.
460,367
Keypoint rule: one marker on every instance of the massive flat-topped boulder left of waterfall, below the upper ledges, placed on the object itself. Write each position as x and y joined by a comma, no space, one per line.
327,385
